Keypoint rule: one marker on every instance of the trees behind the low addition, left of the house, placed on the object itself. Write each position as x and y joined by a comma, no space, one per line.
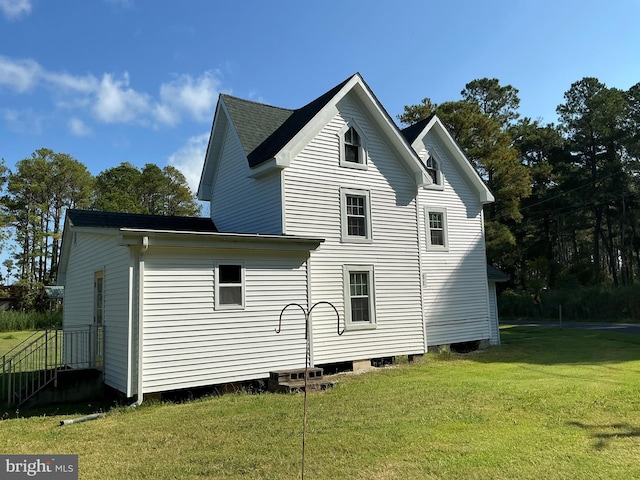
38,191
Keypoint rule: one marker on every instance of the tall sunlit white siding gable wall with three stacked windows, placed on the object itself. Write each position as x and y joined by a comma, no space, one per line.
313,184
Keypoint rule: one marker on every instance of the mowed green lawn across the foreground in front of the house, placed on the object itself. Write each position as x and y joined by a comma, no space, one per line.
552,404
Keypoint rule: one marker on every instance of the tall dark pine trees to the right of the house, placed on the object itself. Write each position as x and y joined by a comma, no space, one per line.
567,211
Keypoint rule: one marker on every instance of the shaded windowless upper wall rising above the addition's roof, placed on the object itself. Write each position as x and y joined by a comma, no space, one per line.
242,204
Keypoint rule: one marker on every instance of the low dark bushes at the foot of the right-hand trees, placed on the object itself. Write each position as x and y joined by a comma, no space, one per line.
599,303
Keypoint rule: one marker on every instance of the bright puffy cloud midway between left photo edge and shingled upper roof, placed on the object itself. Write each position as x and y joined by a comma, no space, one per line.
116,102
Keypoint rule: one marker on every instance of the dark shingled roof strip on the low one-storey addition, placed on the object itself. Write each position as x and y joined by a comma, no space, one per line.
96,219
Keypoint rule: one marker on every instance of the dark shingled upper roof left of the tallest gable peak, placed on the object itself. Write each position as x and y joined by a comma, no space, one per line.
264,130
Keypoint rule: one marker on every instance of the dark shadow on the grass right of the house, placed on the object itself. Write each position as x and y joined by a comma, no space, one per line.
554,346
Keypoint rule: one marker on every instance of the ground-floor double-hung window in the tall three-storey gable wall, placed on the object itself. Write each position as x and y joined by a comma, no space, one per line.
359,297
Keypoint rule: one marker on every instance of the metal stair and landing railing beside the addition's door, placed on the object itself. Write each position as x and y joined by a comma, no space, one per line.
35,363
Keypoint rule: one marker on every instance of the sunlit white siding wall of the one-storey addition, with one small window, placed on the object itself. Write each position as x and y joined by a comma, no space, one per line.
188,343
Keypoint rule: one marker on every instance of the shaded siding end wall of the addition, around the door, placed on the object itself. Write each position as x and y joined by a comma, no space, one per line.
92,253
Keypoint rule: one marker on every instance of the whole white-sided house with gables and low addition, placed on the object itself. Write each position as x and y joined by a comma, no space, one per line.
330,202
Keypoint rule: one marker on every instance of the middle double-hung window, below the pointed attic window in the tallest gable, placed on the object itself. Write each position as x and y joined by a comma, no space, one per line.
355,215
